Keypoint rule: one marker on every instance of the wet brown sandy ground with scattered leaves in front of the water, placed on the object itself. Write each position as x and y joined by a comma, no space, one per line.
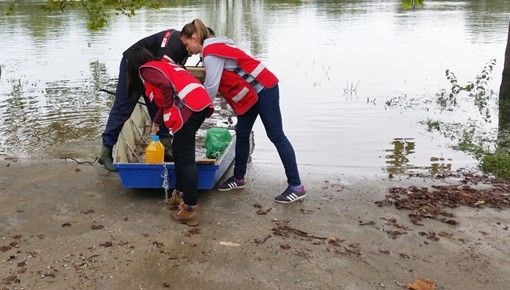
69,225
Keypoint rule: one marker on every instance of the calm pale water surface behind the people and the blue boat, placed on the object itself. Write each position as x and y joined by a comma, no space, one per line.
338,62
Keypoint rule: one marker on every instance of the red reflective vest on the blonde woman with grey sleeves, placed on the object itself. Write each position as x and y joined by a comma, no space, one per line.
239,93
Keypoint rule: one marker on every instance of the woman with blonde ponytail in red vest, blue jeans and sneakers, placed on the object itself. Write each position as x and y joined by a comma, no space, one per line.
251,90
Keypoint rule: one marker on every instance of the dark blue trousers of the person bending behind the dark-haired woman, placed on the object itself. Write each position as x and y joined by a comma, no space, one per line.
122,108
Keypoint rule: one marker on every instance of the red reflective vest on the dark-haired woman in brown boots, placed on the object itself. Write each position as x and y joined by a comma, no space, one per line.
188,91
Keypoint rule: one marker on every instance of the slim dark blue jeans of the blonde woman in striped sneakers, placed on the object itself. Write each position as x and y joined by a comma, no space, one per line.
268,107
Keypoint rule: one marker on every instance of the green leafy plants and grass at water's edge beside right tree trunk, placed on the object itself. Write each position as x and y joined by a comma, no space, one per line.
475,133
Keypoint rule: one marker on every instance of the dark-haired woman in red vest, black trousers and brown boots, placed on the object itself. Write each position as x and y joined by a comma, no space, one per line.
183,106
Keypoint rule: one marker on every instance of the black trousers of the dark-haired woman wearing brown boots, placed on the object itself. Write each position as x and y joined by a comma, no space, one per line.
186,174
